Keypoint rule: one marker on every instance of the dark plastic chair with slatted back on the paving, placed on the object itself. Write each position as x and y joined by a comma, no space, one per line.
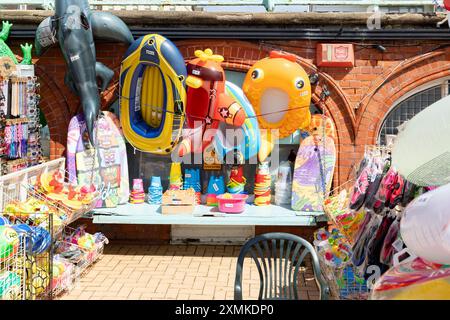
278,257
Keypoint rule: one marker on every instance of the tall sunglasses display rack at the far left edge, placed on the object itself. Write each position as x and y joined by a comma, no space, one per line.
20,140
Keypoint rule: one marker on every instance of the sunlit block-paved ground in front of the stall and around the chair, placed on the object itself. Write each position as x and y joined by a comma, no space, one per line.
181,272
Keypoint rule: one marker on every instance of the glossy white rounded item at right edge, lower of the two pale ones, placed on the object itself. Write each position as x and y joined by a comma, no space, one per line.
425,226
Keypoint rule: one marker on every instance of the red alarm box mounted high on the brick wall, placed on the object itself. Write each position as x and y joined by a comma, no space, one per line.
335,55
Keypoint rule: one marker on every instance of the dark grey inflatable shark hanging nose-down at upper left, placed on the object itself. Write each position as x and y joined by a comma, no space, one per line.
74,26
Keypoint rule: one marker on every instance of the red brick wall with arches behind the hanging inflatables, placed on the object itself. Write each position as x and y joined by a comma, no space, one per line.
360,96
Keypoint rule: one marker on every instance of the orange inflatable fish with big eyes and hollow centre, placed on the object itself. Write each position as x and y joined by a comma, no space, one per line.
279,90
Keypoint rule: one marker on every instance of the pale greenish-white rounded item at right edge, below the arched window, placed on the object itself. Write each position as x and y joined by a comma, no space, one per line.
421,151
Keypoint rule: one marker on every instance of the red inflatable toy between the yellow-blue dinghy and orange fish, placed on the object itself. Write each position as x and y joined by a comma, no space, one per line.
207,102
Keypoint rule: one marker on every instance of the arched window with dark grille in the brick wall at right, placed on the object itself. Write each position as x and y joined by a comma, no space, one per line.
410,106
